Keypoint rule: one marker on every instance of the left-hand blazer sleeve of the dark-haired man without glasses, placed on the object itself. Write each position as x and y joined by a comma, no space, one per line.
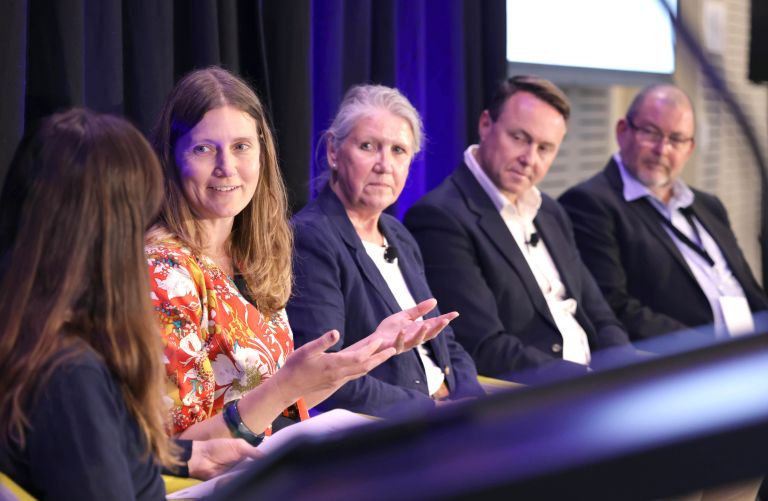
456,278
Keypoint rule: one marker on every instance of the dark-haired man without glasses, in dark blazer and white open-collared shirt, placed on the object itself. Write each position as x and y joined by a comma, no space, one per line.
502,254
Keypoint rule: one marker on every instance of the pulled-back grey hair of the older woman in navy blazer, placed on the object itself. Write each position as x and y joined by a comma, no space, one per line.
361,100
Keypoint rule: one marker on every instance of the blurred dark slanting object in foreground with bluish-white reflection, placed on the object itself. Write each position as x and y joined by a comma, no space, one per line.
662,427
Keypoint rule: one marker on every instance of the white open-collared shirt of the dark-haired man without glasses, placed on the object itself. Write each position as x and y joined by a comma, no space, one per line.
519,220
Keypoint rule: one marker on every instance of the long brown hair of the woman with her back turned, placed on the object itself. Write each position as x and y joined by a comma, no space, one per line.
75,276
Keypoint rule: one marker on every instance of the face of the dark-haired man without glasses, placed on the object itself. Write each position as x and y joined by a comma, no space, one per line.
517,149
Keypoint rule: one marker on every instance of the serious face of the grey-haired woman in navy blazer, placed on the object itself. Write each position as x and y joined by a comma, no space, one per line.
371,164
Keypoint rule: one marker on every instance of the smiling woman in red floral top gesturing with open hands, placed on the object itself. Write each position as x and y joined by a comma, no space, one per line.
220,264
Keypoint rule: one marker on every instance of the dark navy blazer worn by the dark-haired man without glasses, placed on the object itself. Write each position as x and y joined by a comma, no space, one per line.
475,267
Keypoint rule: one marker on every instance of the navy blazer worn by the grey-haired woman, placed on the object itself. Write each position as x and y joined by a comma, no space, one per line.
338,286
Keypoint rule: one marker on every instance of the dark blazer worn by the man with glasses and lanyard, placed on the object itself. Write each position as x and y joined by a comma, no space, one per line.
636,263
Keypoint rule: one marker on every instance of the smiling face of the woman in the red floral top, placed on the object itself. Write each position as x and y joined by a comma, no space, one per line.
218,162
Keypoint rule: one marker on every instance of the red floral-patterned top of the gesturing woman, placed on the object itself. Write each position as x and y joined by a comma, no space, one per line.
217,344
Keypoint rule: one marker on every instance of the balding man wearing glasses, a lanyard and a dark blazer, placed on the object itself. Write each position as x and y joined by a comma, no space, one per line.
663,253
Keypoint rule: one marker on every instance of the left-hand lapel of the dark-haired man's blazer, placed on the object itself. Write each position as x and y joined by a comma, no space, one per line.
490,222
